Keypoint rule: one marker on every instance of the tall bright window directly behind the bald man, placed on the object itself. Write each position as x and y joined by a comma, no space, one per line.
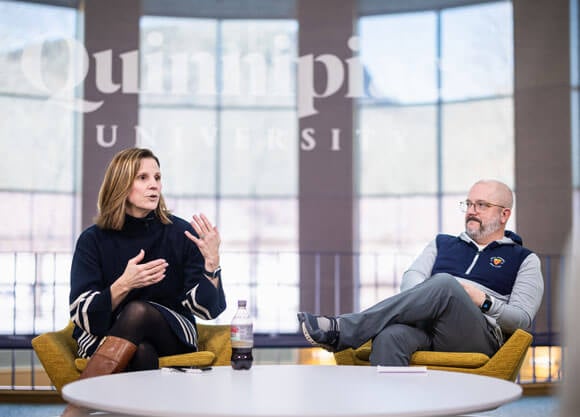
437,116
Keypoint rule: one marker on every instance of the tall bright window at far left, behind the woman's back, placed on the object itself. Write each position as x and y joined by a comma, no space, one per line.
38,173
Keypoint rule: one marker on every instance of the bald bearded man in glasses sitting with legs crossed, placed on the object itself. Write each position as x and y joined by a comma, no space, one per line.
463,293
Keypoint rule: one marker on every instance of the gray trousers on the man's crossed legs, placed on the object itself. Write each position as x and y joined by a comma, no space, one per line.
434,315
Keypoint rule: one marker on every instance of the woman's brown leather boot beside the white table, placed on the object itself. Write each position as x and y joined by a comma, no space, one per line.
112,356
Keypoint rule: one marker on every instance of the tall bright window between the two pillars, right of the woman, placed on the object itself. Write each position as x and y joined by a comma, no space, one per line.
218,107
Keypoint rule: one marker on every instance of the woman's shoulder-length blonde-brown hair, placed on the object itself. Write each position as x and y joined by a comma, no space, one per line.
117,183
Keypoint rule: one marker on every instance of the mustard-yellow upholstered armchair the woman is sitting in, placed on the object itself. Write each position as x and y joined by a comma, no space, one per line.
57,352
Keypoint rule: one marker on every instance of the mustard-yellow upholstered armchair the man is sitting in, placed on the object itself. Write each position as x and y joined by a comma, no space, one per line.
505,364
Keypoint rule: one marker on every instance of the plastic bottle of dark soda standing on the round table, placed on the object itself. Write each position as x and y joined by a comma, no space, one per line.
242,336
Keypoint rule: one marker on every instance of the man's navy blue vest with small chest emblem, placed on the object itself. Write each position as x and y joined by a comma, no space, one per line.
496,267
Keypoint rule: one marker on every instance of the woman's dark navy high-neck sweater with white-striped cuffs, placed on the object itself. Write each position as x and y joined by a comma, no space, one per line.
101,257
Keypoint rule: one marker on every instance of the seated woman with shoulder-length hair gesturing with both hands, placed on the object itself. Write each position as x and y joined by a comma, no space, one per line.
140,274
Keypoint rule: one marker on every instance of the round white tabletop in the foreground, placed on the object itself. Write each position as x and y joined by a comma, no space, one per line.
291,391
